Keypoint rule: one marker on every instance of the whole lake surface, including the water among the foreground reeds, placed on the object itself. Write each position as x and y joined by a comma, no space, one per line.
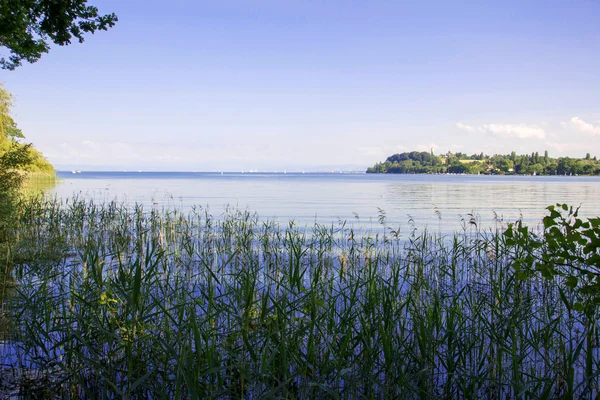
161,298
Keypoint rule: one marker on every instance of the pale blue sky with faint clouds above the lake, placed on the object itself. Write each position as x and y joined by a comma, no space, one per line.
314,85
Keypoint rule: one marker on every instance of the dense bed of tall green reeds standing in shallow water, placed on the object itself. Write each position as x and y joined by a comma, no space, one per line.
121,302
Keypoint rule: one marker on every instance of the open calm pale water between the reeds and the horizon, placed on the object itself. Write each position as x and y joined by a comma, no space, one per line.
439,202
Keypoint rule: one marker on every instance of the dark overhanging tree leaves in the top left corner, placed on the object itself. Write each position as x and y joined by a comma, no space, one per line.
26,26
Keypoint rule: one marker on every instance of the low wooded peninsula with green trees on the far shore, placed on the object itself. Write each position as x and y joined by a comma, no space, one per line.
415,162
